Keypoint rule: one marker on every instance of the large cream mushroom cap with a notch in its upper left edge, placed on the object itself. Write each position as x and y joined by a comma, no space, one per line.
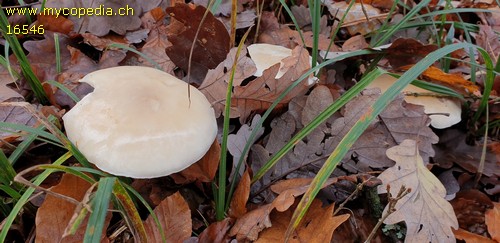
139,122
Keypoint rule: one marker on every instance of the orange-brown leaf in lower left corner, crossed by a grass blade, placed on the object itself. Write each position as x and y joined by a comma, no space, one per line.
53,216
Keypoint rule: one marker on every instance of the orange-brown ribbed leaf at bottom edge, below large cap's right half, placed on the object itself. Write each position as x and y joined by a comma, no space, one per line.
175,218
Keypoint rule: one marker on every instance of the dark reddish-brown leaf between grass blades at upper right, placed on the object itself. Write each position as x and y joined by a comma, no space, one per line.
405,51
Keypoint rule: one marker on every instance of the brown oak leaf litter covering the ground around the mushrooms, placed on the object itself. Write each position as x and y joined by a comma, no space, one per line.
261,211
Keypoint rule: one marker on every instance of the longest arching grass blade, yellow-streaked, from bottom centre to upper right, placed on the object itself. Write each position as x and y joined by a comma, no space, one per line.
360,126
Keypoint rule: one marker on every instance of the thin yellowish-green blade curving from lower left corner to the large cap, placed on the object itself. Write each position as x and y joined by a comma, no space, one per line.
7,223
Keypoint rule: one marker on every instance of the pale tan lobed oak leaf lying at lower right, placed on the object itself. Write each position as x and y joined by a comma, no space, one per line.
428,217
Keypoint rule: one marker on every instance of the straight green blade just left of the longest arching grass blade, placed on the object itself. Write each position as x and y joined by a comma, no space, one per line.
346,97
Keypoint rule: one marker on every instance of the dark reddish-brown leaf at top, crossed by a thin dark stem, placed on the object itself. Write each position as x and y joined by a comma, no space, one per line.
212,43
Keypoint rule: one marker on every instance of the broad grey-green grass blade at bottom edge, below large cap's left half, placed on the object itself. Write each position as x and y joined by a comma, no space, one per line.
100,205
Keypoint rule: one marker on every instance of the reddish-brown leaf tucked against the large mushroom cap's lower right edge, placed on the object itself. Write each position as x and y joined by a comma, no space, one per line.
202,171
